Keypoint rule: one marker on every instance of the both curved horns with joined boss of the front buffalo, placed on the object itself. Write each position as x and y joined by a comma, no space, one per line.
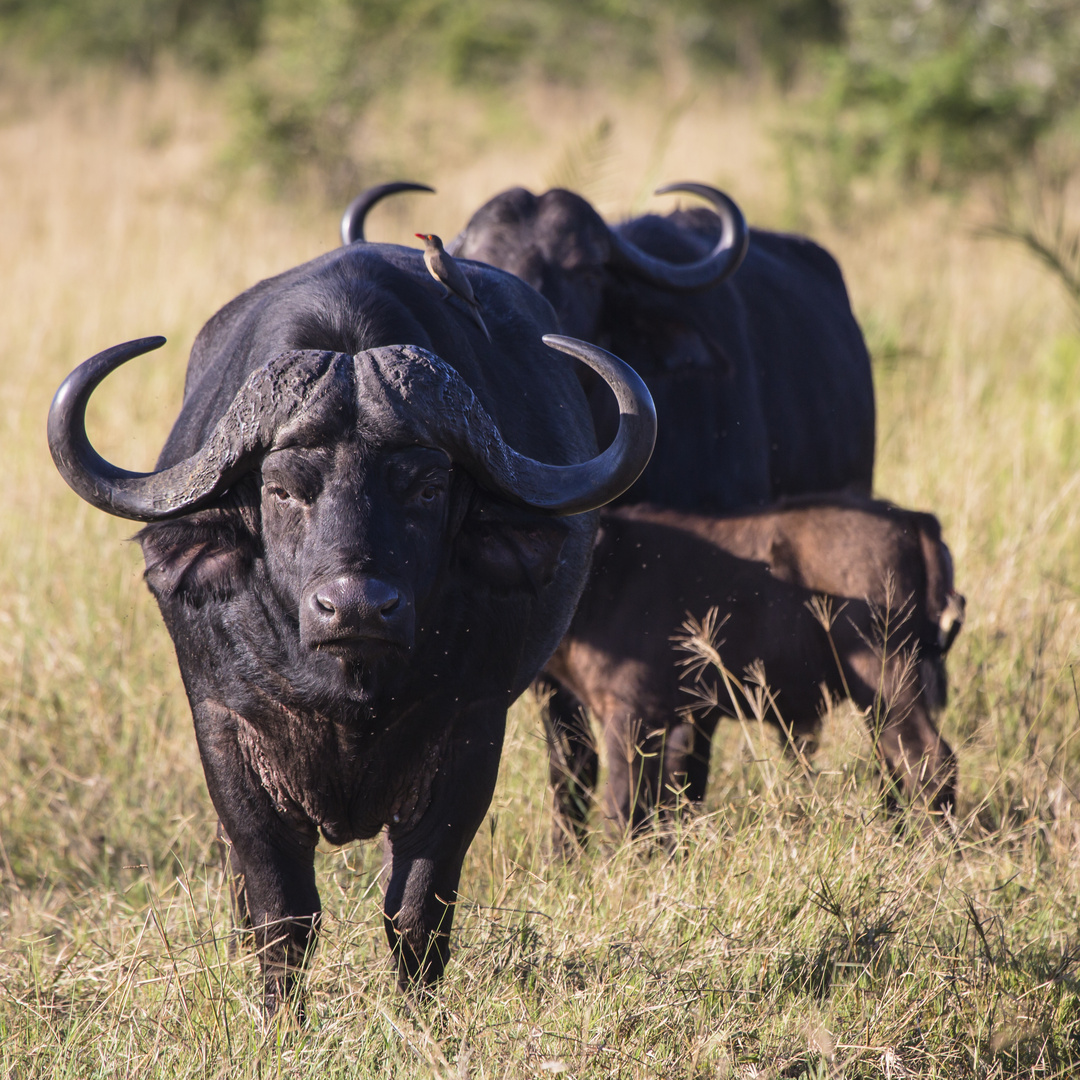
293,381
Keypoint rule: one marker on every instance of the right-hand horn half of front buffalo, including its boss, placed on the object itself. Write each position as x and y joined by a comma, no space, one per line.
424,391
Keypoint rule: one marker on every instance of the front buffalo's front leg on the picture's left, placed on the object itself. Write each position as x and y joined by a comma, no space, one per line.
271,858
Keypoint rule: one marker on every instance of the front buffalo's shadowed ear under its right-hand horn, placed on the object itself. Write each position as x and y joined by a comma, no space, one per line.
511,549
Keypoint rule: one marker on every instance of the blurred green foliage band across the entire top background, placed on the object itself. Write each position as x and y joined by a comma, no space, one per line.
935,92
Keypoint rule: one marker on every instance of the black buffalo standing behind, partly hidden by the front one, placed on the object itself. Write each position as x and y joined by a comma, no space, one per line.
746,339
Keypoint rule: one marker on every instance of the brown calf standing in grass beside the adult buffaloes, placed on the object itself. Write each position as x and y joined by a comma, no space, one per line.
888,583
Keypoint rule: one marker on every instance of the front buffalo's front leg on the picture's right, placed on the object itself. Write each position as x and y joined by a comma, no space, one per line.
426,858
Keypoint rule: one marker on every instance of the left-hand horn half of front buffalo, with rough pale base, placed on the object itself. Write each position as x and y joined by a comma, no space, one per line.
244,433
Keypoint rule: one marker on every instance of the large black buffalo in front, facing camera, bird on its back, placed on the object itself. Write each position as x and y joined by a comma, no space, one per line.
358,573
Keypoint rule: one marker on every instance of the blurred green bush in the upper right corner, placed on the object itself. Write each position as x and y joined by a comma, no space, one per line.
942,91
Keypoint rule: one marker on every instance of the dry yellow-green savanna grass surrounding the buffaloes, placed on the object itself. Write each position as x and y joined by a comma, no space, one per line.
792,931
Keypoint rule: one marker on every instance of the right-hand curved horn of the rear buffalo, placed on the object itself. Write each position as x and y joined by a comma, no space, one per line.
690,277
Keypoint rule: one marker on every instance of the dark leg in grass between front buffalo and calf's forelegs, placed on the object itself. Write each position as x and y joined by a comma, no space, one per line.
573,764
